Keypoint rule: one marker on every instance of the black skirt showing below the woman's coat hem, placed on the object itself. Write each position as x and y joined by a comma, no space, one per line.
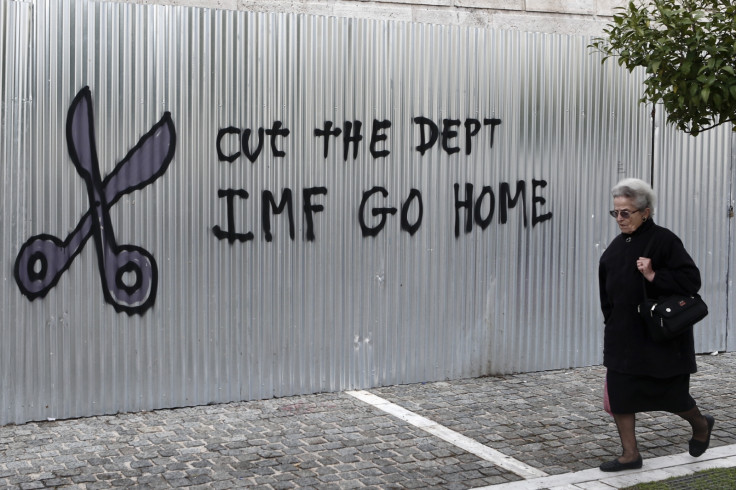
632,393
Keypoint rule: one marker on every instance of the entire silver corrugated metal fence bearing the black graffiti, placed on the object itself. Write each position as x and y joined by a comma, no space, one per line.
235,246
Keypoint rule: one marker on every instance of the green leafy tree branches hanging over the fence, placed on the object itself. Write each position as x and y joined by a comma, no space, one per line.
687,48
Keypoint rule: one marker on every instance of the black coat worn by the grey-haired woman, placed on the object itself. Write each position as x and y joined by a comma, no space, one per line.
626,346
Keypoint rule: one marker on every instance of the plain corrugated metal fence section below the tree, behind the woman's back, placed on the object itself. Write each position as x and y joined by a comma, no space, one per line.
693,177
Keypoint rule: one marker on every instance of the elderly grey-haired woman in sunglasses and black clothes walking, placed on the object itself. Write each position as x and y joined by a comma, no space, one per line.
644,375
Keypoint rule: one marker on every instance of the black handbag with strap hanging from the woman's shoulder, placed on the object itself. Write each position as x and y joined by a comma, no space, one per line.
671,316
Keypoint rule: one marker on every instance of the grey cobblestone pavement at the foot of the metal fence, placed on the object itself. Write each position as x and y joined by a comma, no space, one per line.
550,421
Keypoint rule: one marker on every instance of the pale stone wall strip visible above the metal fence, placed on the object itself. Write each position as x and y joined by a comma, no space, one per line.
552,16
